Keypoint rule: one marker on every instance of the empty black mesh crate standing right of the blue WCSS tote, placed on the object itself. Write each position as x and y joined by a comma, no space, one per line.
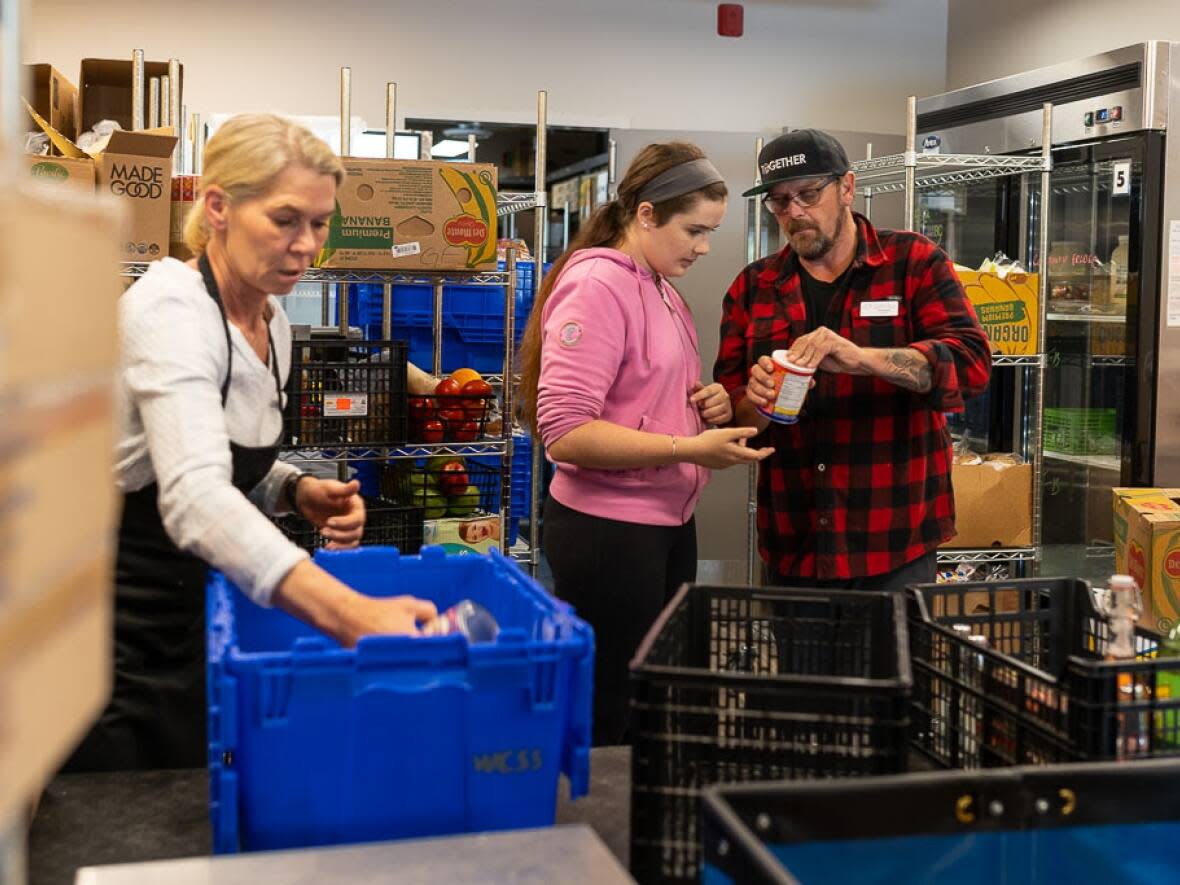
739,685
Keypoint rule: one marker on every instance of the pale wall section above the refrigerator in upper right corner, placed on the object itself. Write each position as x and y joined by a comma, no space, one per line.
997,38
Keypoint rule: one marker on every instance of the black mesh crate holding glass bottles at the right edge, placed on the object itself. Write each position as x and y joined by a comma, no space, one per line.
1040,692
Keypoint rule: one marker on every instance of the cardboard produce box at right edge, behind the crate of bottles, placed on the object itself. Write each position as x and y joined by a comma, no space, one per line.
1148,547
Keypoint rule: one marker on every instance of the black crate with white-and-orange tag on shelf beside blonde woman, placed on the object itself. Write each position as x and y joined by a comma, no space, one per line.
346,395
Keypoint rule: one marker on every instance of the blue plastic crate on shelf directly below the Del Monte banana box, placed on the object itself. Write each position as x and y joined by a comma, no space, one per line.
473,320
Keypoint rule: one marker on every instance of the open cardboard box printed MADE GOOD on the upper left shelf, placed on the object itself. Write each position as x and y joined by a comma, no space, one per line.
137,168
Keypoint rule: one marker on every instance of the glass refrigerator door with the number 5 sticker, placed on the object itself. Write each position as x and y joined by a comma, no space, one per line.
1104,211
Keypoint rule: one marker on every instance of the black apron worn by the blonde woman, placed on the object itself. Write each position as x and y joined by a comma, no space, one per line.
156,718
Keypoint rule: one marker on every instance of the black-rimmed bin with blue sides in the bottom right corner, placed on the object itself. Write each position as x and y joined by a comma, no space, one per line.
1092,824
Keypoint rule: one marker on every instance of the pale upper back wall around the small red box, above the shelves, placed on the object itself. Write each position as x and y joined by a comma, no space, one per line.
651,64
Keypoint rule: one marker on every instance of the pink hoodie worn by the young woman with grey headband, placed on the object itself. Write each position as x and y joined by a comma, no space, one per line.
619,350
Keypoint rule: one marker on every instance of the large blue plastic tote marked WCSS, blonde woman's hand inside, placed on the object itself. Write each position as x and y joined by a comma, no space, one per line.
312,744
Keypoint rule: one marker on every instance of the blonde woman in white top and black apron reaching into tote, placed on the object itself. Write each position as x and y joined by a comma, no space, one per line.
207,352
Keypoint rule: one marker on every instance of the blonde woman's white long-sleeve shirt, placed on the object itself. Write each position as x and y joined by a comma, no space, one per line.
174,430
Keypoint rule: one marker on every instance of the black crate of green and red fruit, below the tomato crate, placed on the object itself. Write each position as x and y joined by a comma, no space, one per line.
440,489
